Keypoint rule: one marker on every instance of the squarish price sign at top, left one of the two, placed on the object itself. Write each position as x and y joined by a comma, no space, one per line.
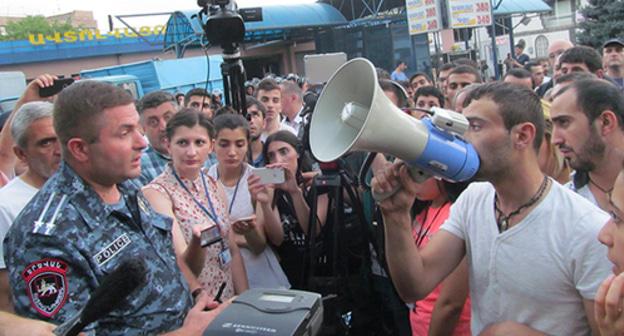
423,16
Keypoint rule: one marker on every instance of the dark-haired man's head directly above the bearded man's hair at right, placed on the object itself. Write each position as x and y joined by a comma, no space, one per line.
581,58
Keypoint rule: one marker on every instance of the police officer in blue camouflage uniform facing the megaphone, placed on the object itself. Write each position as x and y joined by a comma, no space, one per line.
88,218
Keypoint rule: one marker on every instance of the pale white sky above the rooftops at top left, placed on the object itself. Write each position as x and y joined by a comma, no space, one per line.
102,8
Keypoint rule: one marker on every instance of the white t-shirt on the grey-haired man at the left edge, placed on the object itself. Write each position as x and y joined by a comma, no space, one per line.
13,198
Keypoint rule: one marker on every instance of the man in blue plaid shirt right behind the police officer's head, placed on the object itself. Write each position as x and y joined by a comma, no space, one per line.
155,109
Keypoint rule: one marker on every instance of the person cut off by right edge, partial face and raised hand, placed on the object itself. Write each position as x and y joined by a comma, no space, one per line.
609,301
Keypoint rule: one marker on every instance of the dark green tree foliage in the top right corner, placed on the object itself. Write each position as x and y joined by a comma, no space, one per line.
603,20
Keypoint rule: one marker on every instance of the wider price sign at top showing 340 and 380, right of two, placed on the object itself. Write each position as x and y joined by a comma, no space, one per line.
469,13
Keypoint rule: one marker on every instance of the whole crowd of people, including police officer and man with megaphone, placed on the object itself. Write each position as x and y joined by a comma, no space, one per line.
533,245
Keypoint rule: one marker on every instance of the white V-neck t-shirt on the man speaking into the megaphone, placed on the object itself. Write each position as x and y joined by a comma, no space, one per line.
539,271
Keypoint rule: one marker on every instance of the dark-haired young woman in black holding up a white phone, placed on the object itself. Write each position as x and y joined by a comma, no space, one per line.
282,209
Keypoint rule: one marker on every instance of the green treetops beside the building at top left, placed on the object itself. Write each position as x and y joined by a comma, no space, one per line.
20,29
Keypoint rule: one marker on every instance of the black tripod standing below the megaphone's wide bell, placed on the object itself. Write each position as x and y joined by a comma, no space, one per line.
338,262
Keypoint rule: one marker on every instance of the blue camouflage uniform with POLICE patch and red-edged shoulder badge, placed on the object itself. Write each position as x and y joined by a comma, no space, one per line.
66,240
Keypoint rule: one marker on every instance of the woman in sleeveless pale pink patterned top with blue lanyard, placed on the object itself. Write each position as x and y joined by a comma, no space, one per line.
197,202
